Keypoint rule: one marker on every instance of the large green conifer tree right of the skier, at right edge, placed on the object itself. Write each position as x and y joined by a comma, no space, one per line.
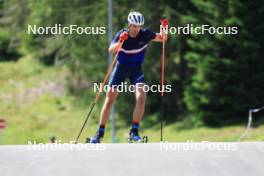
222,72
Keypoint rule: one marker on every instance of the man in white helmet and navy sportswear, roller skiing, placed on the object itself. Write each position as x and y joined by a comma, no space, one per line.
131,43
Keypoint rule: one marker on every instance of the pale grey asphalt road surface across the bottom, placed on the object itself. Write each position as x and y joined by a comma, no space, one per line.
182,159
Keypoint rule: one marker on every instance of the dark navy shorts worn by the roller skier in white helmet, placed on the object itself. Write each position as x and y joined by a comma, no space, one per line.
121,72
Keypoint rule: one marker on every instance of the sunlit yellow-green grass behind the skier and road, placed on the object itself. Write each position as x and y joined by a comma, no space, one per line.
37,116
